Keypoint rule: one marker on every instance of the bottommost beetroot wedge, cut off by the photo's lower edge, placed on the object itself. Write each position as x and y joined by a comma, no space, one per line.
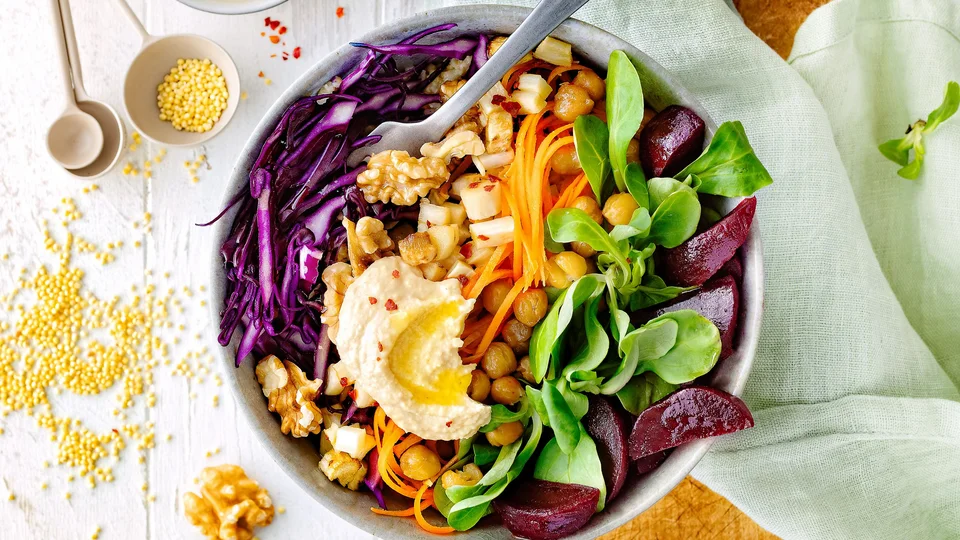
545,510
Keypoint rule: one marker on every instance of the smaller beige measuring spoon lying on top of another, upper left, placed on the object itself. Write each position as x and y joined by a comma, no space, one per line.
75,139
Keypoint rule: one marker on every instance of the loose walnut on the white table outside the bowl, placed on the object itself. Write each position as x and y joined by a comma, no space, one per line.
230,504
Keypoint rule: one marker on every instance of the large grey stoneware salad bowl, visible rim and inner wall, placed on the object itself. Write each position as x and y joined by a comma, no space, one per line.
299,458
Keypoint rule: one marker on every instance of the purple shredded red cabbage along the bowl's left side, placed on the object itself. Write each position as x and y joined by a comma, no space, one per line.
300,188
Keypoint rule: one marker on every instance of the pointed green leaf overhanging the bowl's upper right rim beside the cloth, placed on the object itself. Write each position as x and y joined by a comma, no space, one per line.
729,167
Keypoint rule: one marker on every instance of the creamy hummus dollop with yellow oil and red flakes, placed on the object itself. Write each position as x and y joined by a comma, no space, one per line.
399,341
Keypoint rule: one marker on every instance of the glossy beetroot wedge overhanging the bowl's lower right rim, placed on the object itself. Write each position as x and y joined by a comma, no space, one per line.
692,413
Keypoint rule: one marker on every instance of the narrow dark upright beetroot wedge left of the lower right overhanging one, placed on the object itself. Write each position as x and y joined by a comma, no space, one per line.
608,430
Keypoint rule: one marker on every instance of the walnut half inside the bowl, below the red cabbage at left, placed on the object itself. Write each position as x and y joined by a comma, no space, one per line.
290,394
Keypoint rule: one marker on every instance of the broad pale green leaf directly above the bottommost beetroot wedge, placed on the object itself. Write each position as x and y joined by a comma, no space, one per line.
582,466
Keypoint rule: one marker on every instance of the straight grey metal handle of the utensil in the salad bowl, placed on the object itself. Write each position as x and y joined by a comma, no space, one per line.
545,18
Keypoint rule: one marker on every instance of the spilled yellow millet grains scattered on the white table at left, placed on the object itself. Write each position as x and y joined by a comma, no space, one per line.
56,336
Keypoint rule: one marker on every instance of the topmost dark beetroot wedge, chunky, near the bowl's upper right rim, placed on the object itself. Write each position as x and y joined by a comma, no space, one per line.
671,141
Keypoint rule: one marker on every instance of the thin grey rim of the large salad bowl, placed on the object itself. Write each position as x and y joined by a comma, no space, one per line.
730,375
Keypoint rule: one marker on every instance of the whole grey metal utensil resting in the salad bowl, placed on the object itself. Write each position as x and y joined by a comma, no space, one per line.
545,18
